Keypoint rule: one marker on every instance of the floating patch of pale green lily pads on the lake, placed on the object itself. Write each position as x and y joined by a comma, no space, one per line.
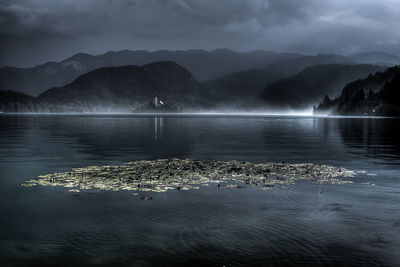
184,174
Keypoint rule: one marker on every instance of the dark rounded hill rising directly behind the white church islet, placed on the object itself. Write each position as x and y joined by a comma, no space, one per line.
124,87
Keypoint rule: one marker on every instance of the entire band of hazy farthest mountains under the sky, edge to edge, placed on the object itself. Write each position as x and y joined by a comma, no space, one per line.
204,65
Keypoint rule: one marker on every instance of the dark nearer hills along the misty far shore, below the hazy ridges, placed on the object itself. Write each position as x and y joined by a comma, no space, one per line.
127,87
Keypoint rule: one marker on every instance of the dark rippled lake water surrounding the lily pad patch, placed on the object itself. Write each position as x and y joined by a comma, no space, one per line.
355,224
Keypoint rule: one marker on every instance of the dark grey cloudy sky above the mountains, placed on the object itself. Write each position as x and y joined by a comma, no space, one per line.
32,32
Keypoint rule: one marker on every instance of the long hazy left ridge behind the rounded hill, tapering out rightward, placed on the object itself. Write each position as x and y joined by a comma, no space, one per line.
204,65
